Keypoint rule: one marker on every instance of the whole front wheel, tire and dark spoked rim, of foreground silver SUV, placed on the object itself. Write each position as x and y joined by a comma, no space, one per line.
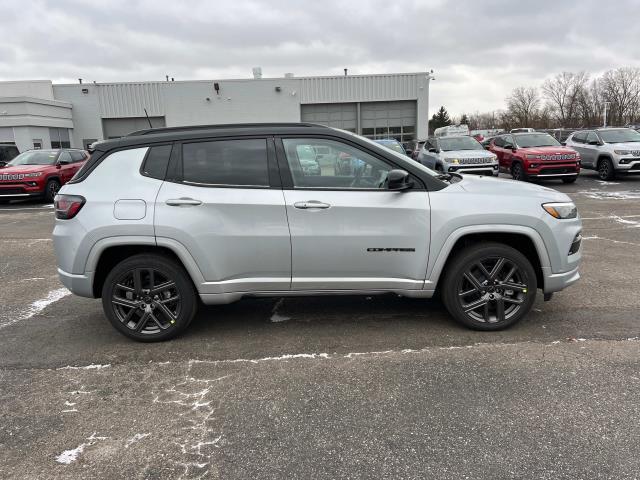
510,292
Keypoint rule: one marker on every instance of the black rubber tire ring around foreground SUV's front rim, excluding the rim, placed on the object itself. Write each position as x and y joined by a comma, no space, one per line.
461,263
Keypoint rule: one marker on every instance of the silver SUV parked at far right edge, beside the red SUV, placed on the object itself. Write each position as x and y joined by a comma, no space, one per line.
609,151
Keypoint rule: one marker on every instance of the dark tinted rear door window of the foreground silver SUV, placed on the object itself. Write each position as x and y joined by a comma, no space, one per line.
226,162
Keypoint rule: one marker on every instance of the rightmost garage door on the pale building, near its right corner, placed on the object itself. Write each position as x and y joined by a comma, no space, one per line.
389,120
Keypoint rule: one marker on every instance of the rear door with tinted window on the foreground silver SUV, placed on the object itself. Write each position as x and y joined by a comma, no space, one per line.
223,202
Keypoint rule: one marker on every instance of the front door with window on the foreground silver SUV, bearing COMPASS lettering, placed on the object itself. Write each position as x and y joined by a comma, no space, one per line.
348,231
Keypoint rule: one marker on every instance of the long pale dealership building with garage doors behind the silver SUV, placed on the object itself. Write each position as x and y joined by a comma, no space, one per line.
40,114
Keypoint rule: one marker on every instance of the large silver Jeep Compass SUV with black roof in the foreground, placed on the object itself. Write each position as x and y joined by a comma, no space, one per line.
162,217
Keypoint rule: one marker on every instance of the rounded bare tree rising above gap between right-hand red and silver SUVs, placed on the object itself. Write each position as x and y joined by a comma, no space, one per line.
563,93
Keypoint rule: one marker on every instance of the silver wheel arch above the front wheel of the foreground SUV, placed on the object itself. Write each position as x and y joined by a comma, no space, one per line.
524,239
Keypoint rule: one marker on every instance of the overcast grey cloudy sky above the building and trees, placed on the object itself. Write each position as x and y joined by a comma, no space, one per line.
478,49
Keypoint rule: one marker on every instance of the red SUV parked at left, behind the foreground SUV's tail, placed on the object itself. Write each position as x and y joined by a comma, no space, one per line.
39,173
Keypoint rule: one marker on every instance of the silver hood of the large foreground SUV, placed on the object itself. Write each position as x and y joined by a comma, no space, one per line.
505,188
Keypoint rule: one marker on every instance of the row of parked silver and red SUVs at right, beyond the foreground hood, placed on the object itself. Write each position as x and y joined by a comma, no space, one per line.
527,154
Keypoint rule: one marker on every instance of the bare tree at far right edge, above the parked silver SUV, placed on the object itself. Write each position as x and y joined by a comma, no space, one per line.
621,87
